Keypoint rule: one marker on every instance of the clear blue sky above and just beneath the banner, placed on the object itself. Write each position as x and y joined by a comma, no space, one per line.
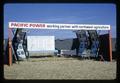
60,13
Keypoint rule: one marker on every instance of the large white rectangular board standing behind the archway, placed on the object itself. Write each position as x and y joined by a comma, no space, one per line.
41,43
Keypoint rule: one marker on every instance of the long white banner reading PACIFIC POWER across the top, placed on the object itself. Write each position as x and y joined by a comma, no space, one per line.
58,26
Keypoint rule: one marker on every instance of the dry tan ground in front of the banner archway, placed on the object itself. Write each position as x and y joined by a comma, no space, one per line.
60,68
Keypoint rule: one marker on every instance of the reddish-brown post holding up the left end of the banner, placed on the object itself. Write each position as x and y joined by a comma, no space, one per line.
10,49
